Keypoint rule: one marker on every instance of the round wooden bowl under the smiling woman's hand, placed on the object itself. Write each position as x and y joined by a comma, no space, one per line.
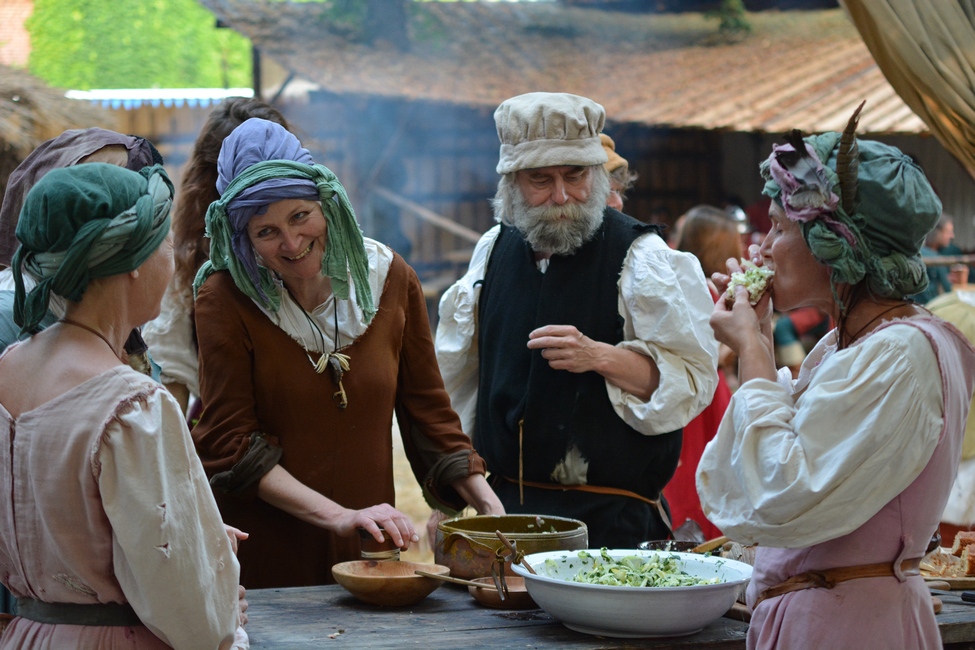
389,583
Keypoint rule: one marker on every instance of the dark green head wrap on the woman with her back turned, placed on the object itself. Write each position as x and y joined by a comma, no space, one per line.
85,222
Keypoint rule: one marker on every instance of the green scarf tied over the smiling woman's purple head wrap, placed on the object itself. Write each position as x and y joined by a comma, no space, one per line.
345,254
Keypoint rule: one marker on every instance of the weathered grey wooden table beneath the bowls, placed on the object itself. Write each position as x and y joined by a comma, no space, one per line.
328,617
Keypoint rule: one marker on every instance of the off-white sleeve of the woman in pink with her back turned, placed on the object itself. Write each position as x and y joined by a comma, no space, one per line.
172,557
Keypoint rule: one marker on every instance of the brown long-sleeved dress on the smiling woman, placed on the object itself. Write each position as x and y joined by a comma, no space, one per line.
255,377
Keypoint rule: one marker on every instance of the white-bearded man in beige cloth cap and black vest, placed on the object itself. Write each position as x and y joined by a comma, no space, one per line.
577,345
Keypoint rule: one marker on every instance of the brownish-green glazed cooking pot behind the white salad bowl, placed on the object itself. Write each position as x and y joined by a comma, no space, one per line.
469,545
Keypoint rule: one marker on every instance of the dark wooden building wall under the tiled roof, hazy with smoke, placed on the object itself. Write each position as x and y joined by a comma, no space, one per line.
395,155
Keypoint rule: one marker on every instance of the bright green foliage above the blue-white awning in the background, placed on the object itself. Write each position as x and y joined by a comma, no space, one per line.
85,44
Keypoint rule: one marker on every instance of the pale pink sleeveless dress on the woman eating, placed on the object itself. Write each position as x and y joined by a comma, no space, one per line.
874,612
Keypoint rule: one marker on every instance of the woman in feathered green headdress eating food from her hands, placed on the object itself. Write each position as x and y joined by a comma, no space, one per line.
840,477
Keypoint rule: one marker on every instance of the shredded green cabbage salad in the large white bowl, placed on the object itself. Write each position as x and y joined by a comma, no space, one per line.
658,570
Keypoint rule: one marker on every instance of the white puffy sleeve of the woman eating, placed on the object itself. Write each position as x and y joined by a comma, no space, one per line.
797,464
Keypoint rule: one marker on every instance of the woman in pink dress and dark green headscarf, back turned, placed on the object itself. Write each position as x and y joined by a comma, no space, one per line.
109,535
